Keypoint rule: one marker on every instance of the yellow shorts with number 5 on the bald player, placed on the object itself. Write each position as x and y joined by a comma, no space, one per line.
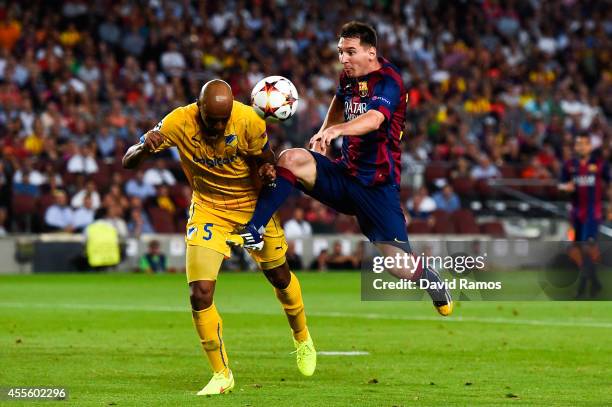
210,228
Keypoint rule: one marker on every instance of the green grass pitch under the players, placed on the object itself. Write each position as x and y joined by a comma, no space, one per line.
128,340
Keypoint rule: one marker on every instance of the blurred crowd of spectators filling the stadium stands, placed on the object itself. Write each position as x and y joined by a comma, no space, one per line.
495,89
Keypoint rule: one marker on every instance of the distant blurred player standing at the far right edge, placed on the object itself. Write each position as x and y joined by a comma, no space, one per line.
585,176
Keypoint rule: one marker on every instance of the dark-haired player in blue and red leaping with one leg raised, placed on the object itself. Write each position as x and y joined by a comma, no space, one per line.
368,111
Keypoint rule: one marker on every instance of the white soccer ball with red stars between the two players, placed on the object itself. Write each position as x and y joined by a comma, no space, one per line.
274,98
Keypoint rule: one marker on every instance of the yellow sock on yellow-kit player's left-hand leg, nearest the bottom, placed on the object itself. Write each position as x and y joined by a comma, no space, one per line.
209,326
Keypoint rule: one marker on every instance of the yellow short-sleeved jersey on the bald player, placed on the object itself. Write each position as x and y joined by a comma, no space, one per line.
219,170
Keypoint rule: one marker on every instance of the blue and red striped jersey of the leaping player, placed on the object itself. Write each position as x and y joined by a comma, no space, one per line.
374,158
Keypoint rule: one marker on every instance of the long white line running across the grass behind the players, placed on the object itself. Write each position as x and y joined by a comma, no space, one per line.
501,321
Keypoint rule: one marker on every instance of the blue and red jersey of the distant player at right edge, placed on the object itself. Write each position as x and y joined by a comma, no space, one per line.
588,177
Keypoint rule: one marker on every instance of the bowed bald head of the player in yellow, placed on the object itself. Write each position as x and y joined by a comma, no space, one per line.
215,103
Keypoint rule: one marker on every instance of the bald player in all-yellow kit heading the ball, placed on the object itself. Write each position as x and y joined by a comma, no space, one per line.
223,148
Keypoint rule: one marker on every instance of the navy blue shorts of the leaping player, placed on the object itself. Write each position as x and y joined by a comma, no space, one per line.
377,208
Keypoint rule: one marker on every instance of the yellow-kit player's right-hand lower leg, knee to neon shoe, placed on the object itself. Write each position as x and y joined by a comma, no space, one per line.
289,293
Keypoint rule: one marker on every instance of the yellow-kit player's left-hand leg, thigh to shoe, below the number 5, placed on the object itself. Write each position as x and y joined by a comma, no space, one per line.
202,269
